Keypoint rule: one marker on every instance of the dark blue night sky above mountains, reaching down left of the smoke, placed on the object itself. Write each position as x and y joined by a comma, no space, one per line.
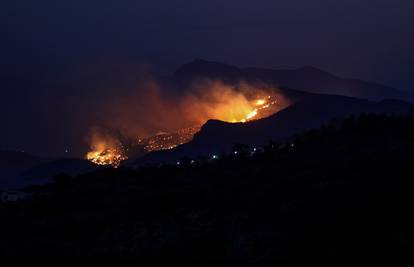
56,55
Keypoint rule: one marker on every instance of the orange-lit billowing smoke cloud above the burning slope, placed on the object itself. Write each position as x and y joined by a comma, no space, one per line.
151,109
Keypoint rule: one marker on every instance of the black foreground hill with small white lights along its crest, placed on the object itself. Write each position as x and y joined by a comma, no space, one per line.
342,191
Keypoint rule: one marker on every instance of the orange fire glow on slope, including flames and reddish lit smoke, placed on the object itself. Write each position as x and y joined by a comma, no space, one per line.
179,119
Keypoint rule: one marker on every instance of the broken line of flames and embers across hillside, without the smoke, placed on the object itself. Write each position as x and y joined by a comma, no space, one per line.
113,154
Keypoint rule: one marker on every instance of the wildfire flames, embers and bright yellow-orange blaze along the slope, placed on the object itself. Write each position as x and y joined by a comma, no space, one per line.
106,150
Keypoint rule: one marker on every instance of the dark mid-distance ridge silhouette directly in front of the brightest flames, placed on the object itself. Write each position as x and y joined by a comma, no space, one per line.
217,137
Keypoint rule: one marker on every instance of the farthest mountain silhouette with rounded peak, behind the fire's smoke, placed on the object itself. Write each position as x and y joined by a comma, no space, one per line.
307,79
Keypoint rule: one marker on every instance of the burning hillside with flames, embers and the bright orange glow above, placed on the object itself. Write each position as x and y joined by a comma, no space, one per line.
220,102
